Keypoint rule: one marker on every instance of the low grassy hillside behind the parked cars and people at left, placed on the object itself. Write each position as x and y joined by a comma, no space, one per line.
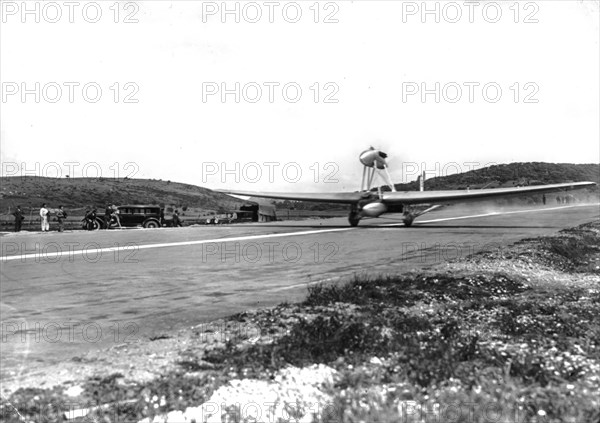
75,193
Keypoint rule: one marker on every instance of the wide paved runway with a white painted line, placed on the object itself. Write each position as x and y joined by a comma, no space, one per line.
63,294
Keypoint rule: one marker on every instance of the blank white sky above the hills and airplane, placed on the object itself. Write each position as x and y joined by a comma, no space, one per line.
461,87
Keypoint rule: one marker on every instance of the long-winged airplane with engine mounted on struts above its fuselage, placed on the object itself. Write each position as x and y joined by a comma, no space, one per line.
372,204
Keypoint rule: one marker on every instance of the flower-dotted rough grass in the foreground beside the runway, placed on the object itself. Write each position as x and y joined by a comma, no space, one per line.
466,345
